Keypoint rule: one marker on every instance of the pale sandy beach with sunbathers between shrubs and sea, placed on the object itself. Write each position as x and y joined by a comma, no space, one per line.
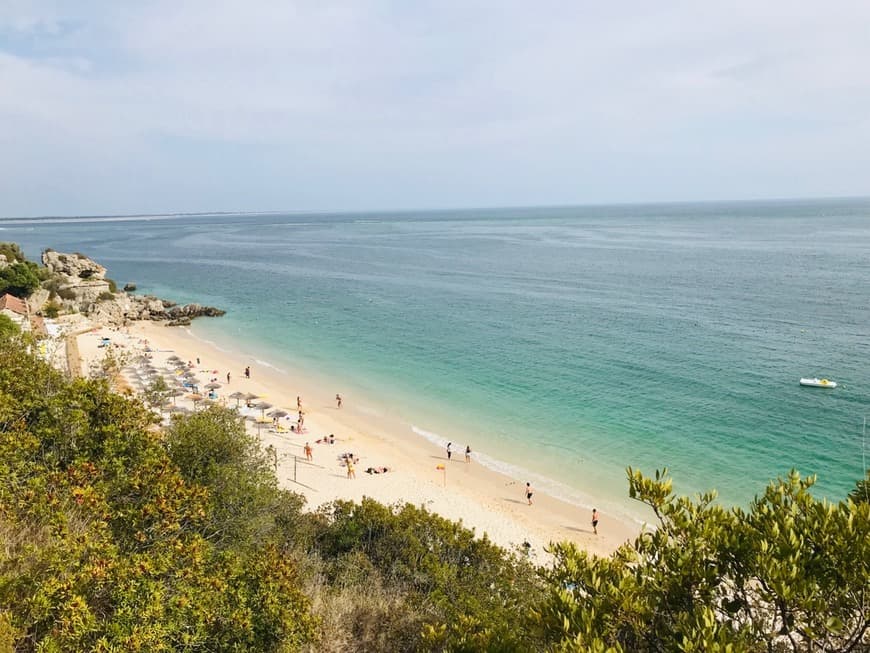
482,499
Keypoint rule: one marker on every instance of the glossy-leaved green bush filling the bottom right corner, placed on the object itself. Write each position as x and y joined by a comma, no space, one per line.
790,574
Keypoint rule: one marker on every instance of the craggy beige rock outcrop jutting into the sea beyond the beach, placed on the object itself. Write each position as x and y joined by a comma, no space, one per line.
78,284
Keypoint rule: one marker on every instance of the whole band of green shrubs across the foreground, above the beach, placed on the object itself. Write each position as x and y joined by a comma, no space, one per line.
121,536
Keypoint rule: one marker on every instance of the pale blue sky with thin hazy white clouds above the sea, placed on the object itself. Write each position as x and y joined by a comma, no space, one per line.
208,105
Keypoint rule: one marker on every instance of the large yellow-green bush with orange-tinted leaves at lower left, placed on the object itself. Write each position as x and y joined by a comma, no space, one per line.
102,545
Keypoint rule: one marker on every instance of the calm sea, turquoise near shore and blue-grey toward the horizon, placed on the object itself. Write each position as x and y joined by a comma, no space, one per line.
571,342
